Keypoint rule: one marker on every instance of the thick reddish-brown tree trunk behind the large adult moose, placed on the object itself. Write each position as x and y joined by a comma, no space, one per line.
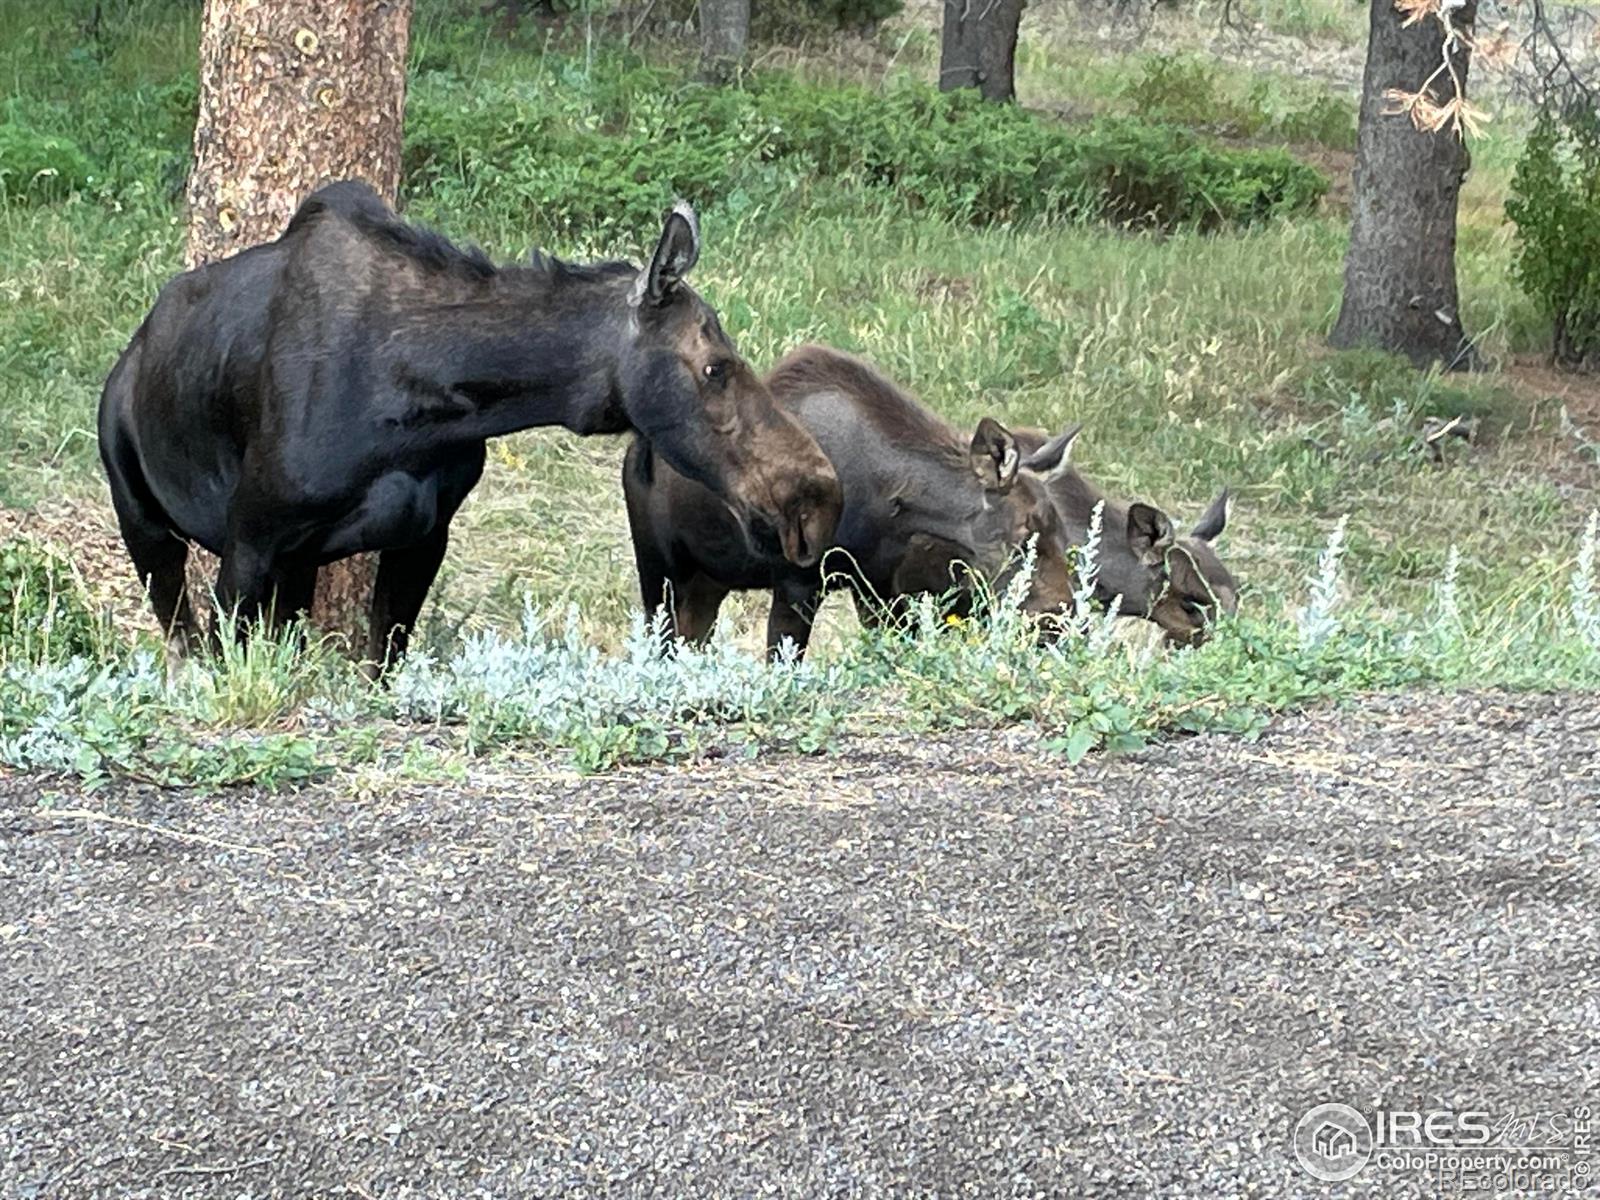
297,94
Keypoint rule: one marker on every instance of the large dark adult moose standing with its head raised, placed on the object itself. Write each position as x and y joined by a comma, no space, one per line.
330,394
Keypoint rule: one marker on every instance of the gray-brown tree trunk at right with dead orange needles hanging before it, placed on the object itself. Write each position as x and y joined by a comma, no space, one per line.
1401,270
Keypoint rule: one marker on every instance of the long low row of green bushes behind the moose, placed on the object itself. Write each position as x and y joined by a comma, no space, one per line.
606,151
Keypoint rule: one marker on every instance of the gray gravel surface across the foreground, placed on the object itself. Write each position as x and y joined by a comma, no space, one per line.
910,969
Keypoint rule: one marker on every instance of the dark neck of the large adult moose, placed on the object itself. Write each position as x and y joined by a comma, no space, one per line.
526,351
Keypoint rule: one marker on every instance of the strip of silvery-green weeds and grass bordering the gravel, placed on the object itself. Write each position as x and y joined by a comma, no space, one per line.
278,713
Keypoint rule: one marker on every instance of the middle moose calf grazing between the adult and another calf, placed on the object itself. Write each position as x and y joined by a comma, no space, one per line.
921,503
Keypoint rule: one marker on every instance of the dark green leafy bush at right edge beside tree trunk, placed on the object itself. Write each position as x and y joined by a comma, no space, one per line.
1556,204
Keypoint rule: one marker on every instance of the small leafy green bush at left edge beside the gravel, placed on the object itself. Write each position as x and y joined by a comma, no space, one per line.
44,612
